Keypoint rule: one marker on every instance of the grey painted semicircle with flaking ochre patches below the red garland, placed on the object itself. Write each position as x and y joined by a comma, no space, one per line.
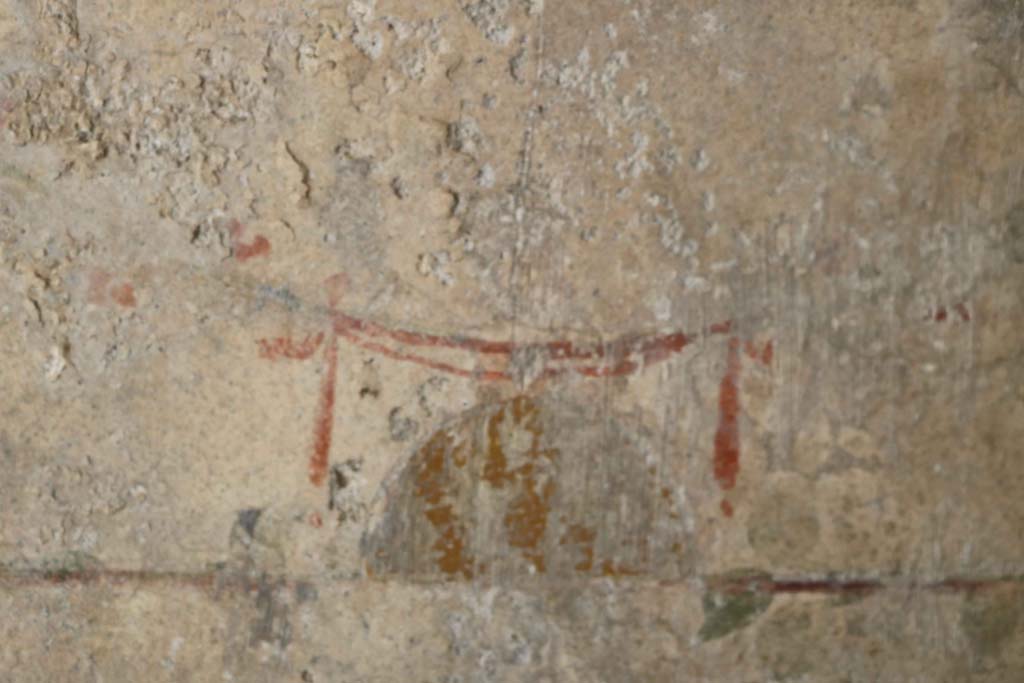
495,494
